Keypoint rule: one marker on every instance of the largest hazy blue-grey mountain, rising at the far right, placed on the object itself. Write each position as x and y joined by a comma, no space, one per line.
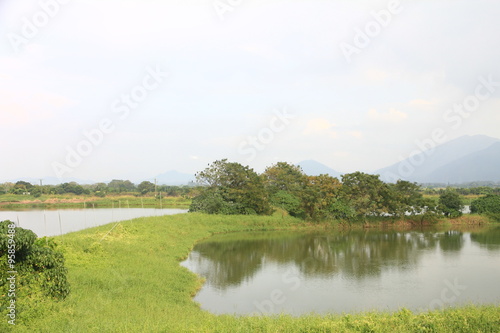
464,159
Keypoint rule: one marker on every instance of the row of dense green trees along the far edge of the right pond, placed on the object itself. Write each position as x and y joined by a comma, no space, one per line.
231,188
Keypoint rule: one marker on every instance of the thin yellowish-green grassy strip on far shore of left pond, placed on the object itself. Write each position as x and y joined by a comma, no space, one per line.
12,201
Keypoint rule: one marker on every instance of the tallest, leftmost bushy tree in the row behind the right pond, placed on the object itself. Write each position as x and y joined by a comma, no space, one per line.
231,188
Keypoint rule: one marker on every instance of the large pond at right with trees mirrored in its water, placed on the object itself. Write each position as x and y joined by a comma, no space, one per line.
344,272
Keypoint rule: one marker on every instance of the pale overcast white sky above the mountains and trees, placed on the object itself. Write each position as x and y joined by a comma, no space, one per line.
129,89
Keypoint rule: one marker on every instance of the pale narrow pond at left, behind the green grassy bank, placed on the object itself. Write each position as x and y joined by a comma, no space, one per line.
61,221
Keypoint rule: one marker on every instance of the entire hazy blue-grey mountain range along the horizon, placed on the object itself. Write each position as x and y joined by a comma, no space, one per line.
463,160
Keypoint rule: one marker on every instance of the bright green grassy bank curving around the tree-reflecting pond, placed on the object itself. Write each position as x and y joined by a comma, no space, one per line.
132,282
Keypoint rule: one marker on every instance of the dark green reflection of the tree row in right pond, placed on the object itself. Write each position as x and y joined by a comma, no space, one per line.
228,262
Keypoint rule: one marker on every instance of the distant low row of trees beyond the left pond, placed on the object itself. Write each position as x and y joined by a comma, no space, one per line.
99,189
